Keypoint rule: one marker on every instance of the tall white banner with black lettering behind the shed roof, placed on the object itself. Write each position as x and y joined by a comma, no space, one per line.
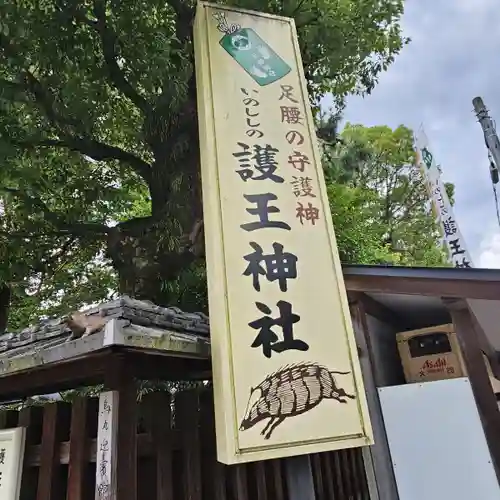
452,236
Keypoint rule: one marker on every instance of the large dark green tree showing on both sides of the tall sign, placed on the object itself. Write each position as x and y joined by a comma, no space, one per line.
99,184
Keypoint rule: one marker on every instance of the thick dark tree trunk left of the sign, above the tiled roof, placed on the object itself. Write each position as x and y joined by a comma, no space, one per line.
151,254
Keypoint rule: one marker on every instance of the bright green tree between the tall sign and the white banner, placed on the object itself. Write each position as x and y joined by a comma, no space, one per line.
378,198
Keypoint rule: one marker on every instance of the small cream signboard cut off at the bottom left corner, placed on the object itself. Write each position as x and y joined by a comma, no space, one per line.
11,461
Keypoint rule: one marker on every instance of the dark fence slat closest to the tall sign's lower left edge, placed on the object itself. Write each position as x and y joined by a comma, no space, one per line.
187,421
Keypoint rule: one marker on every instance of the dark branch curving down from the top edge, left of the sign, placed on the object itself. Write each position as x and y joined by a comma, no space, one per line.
109,41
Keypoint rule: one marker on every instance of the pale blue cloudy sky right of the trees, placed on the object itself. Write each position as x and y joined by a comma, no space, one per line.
453,57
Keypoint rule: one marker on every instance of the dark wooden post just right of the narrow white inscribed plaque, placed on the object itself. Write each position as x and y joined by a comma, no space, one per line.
126,446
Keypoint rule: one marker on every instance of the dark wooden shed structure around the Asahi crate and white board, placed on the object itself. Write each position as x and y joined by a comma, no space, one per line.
388,300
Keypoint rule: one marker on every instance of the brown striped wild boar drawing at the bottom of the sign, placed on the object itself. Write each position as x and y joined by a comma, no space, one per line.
290,391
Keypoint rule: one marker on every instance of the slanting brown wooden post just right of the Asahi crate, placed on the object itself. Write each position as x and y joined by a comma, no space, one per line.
478,375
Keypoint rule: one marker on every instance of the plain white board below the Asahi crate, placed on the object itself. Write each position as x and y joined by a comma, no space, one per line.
437,443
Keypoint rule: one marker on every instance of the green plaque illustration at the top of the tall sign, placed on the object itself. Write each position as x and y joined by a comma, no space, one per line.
255,56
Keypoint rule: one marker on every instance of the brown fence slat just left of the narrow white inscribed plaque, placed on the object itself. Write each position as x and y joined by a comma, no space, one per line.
77,453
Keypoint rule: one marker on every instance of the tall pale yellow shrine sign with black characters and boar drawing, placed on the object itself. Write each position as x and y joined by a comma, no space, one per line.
287,378
